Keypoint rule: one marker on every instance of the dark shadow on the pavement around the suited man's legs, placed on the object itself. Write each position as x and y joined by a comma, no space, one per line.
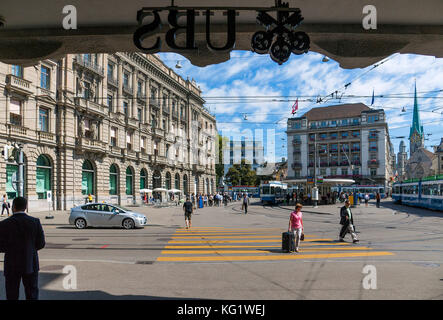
46,278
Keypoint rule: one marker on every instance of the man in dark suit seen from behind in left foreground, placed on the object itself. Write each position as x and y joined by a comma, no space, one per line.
21,236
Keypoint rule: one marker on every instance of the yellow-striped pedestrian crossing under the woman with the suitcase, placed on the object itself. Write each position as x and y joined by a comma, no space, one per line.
219,244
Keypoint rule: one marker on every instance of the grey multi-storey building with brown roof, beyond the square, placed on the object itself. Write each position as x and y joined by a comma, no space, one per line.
348,141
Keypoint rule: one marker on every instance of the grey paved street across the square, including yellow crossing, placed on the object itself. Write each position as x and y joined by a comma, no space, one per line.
230,255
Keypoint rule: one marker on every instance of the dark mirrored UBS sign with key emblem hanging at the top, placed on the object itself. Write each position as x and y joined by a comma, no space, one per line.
278,39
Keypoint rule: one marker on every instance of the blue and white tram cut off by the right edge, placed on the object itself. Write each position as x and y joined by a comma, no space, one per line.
425,194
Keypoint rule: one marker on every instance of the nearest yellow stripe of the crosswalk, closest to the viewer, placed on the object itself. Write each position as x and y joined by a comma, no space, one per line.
276,257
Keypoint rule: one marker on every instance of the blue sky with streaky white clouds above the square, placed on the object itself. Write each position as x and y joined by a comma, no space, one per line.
254,87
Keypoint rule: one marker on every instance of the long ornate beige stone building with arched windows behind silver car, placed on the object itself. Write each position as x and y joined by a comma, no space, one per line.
106,125
